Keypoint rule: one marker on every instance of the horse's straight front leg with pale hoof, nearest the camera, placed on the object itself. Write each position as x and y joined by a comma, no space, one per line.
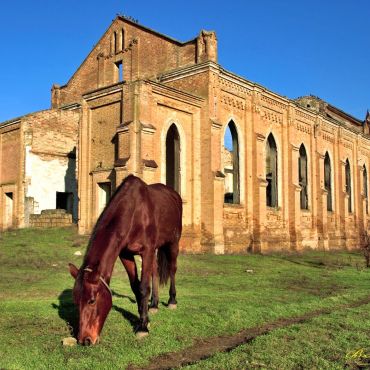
146,273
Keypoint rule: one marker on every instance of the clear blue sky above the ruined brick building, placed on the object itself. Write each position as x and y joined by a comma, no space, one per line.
292,47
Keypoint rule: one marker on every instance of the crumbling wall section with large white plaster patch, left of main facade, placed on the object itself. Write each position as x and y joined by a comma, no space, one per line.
50,146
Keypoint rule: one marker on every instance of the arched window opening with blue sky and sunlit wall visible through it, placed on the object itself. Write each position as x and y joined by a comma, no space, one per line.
231,165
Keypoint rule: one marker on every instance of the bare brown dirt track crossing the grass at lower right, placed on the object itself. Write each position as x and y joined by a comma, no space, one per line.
206,348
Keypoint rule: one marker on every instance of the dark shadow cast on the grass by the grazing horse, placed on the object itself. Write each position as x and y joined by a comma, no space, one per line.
68,312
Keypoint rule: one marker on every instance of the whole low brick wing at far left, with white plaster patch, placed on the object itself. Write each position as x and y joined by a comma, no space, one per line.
38,166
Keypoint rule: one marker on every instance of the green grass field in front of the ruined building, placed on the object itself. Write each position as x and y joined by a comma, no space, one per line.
218,297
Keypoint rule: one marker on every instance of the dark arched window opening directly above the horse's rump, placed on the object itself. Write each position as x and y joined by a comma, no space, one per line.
173,158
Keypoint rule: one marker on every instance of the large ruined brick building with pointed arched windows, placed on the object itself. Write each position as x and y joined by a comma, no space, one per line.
296,175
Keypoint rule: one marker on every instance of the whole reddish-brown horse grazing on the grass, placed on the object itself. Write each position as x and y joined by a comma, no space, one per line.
140,219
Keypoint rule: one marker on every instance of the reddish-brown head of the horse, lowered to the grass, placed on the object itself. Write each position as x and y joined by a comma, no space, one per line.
93,297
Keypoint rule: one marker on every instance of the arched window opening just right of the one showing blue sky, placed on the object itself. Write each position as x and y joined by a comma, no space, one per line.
271,172
